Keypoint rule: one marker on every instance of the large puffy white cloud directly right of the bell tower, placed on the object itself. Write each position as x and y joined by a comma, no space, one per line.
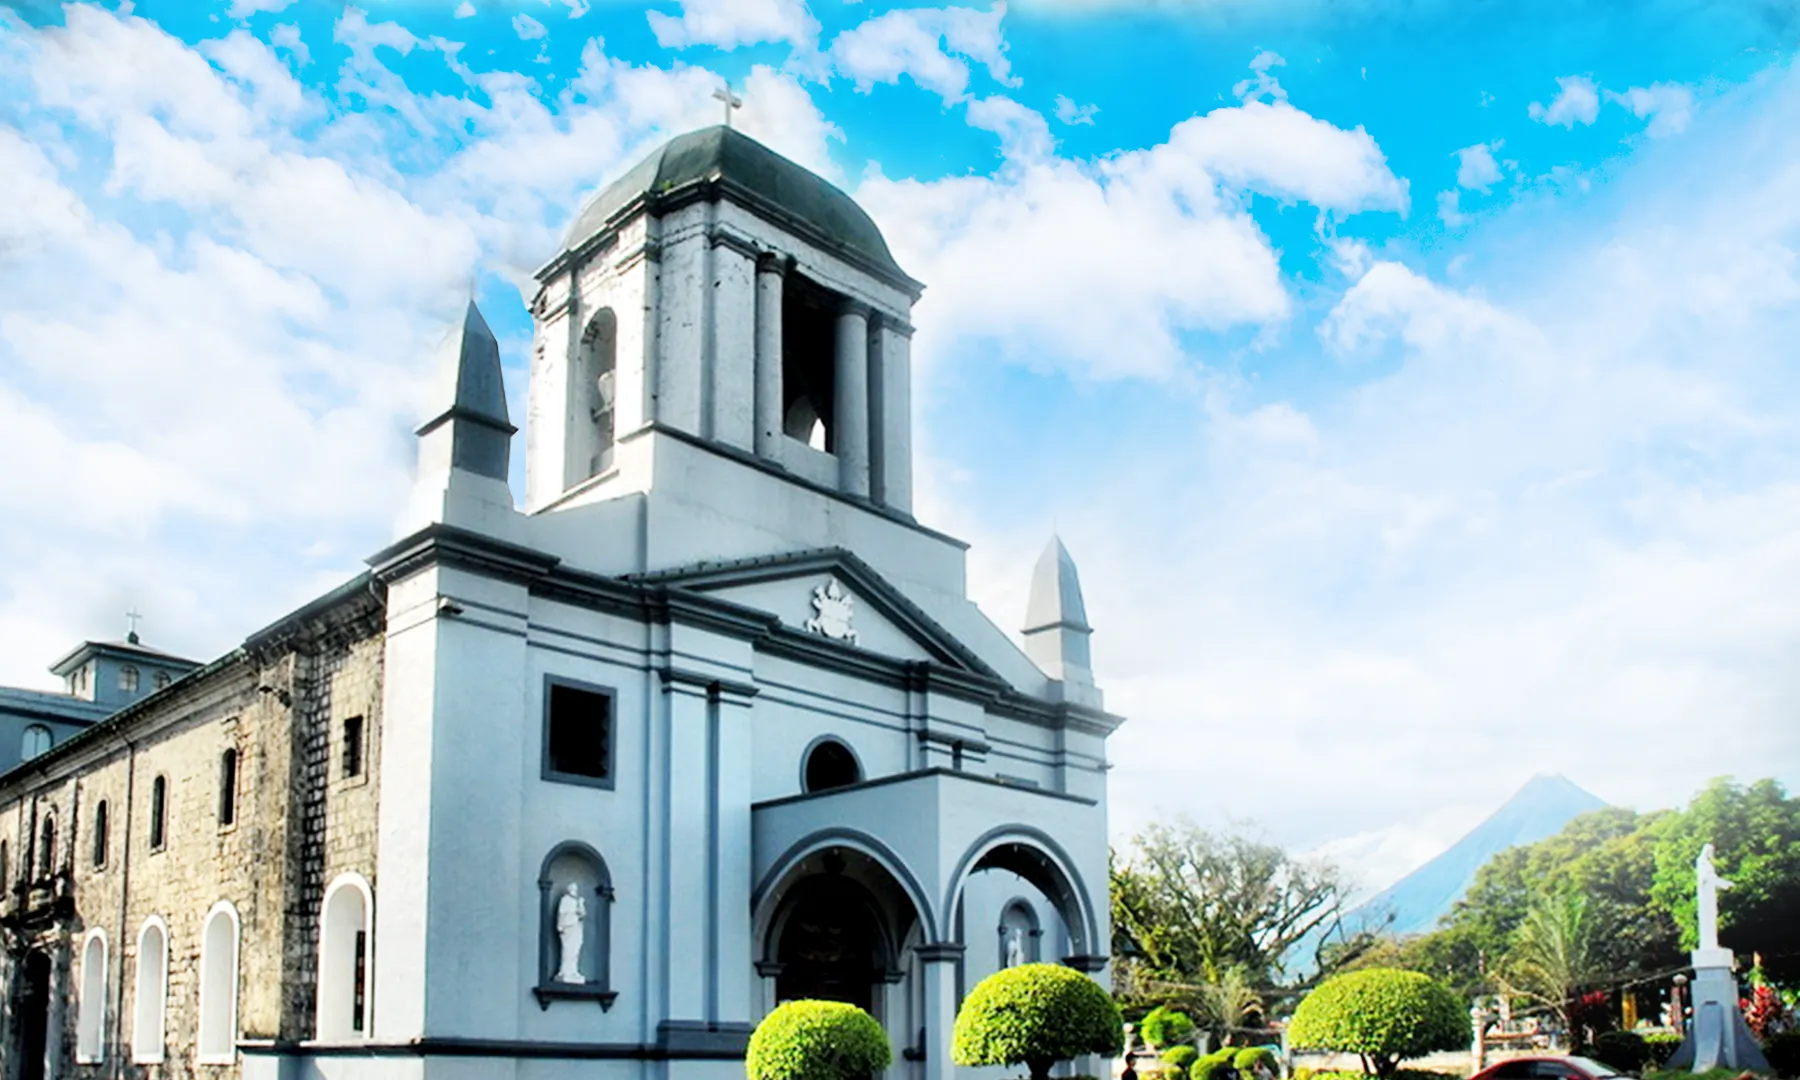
1102,267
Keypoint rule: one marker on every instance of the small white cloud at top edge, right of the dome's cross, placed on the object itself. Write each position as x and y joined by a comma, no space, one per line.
924,44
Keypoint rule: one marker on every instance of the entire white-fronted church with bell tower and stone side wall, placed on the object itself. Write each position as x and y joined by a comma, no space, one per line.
586,787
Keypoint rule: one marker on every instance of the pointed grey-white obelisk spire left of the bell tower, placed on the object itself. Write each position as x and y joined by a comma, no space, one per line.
471,397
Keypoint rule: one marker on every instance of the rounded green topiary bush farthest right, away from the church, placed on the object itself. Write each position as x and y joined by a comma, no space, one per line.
1381,1014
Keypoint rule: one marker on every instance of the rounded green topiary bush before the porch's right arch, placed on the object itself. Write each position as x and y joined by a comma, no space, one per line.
1036,1014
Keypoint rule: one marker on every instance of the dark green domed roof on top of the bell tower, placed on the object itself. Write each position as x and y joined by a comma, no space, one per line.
755,175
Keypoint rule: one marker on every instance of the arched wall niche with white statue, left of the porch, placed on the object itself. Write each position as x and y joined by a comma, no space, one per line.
575,942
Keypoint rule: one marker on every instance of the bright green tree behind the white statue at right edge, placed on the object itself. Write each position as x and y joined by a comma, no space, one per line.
1756,832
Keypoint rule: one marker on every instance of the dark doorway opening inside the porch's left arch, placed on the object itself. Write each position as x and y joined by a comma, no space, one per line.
832,946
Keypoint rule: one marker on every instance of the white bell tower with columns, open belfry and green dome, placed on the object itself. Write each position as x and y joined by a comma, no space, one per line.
724,298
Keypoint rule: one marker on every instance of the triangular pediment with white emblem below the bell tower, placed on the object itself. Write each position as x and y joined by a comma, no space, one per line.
831,595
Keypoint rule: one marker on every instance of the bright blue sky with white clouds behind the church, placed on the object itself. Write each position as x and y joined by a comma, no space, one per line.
1414,382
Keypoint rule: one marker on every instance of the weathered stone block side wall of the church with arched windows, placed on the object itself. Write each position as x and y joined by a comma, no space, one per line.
280,703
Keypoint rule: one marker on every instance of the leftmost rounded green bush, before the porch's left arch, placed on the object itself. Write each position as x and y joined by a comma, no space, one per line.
818,1041
